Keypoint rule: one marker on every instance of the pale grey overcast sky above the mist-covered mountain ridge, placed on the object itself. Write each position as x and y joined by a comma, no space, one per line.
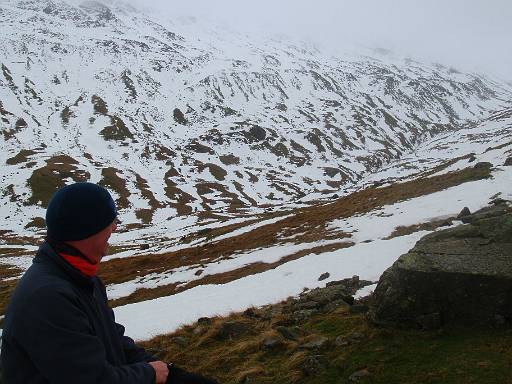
467,34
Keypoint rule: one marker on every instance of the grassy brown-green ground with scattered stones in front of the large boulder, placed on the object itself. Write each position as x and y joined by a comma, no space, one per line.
349,350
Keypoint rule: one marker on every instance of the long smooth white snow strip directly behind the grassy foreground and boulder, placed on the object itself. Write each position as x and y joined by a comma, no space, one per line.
163,315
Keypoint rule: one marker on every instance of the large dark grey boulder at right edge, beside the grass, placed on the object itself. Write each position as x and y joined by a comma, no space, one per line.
458,276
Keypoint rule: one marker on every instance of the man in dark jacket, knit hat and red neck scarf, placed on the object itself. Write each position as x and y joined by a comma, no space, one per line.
58,327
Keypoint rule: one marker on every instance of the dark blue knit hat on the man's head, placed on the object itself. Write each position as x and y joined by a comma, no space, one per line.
78,211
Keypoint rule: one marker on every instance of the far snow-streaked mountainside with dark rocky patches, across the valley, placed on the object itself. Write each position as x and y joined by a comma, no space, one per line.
180,118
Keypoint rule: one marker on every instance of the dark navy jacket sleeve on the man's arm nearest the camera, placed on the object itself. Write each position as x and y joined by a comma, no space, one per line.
55,332
